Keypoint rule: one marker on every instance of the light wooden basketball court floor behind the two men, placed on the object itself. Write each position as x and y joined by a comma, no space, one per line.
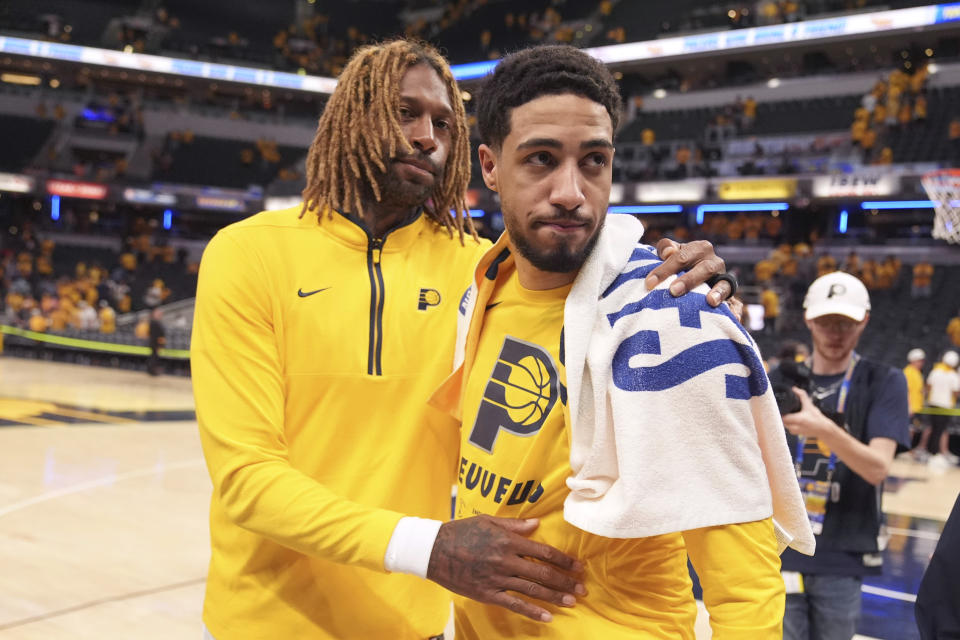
103,511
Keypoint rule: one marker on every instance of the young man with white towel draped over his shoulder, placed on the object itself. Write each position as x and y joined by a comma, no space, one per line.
637,427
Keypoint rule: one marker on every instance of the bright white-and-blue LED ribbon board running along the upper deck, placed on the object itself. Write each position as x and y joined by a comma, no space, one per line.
699,44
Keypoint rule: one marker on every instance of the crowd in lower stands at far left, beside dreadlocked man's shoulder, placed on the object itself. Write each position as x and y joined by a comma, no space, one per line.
44,288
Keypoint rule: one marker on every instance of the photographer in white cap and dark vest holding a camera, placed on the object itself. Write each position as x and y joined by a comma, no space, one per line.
847,418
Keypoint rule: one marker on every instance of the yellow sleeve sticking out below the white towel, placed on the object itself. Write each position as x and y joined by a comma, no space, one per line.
739,570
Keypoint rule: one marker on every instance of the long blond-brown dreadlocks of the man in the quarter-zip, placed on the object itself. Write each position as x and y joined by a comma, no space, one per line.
358,134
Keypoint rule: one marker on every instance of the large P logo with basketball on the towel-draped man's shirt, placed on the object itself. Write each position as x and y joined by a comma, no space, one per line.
520,394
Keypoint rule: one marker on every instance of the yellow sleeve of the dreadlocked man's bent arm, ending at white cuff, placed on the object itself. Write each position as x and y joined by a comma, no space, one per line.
239,392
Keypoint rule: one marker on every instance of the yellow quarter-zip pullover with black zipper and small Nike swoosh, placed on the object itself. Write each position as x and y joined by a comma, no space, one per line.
314,350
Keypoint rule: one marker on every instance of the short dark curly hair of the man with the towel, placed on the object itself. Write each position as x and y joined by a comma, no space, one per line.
538,71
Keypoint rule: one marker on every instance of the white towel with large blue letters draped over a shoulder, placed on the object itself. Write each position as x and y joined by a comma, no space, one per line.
674,424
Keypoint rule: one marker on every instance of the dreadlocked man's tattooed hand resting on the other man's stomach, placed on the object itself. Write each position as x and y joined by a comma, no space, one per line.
484,558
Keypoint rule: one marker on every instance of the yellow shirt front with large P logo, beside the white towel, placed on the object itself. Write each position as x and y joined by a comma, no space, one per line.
515,453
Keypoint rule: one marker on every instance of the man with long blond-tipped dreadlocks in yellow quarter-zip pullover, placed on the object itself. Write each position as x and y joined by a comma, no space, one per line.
319,333
